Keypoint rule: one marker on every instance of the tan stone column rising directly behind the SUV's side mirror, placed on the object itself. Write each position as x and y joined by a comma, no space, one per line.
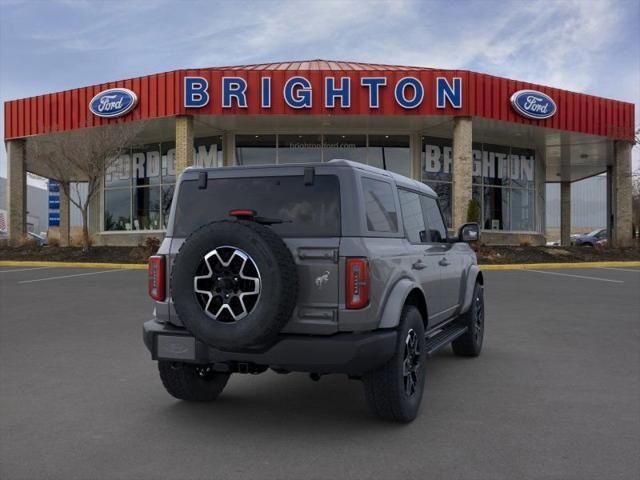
462,170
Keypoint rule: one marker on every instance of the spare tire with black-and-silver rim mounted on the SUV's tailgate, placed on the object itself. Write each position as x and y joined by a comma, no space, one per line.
234,284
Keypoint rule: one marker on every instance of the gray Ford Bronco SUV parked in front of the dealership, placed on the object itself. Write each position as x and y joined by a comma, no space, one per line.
322,268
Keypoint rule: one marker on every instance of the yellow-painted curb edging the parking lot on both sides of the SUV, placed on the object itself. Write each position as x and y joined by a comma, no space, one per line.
143,266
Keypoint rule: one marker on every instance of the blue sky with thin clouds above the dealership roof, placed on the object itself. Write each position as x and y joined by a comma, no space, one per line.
586,46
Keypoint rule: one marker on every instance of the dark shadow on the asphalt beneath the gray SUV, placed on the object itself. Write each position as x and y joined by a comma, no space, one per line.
260,404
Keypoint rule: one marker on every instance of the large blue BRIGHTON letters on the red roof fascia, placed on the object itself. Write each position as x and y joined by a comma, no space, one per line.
298,93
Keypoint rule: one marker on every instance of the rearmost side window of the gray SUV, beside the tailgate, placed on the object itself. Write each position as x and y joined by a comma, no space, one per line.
380,206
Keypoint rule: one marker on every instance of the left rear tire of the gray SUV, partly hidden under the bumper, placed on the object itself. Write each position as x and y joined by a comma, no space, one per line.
196,383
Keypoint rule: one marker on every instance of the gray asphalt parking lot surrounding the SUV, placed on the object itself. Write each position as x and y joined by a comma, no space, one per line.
555,394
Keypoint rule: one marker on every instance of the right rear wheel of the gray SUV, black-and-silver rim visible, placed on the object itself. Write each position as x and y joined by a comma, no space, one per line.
394,392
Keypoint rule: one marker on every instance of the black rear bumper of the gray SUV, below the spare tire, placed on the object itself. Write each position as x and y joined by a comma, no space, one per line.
351,353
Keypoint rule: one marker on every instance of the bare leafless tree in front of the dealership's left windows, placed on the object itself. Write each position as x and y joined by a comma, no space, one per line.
82,156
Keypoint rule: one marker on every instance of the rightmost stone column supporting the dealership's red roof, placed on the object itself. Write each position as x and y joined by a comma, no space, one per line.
621,186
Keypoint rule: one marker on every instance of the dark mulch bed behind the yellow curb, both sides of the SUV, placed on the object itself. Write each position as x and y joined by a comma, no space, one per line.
486,255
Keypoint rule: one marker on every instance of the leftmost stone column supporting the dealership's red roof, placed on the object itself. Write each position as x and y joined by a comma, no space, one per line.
16,191
